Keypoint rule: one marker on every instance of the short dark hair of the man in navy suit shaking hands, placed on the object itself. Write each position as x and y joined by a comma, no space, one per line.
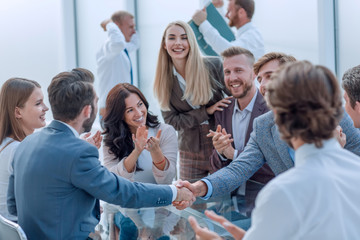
70,92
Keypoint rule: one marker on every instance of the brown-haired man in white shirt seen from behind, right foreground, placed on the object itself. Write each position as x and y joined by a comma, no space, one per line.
306,101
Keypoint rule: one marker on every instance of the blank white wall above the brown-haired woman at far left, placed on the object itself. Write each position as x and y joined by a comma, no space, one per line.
33,41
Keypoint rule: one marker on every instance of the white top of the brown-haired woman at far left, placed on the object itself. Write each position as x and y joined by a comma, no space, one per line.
6,158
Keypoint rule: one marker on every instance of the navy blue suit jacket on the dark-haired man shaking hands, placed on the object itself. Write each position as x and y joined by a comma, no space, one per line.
57,180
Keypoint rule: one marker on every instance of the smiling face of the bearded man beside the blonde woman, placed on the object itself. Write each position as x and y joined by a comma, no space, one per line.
238,75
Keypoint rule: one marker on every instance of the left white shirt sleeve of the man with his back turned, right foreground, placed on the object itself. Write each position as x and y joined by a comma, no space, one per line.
275,216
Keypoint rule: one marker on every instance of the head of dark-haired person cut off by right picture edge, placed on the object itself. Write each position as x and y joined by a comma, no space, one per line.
351,85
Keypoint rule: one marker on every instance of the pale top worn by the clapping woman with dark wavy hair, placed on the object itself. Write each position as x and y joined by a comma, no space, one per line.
150,173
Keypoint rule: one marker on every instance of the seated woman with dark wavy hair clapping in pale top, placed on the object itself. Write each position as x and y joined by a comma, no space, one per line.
136,145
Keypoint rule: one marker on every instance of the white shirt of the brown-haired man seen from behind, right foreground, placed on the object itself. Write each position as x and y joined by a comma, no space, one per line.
317,199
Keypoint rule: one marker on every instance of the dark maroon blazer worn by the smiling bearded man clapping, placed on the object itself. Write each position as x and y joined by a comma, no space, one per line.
224,118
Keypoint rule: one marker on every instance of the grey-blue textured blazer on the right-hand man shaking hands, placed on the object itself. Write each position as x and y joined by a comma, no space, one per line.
266,146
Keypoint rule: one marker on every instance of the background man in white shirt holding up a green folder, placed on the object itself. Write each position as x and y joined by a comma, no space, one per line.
239,13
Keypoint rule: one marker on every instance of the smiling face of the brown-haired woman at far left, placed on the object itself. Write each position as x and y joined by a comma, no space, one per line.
32,114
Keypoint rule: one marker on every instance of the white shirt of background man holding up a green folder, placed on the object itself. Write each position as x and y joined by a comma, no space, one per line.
246,37
